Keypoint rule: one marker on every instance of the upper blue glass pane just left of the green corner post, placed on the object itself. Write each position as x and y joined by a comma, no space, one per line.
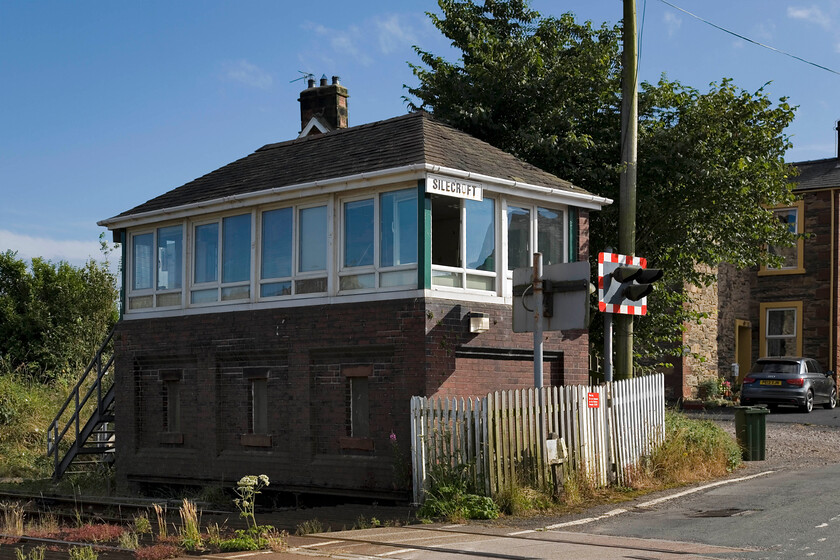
398,228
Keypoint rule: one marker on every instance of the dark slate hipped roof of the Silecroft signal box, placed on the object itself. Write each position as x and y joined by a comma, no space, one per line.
415,138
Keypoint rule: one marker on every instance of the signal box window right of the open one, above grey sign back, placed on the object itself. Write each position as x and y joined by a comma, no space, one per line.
529,226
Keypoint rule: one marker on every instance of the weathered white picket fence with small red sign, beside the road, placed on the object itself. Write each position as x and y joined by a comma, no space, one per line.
498,436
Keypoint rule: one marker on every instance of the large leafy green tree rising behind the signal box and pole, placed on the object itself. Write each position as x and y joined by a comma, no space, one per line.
547,90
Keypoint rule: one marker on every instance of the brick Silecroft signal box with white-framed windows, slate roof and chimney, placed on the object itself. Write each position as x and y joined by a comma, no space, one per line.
280,312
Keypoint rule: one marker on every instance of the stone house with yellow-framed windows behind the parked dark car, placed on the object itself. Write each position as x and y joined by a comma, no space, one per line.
791,310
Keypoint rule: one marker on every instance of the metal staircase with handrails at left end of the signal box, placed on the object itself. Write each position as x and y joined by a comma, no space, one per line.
92,398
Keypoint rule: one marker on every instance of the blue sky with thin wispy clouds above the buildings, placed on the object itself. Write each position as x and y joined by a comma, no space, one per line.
107,104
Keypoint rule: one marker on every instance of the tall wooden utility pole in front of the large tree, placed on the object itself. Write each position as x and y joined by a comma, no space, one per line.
627,195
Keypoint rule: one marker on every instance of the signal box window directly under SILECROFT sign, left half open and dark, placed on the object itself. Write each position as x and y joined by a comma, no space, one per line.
463,243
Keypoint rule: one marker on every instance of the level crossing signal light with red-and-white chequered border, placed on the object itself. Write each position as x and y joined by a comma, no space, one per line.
624,281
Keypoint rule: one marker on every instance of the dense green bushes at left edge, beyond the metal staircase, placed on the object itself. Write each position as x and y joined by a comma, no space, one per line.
53,317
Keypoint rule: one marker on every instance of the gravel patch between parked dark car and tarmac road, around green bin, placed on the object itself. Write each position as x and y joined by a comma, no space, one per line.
793,446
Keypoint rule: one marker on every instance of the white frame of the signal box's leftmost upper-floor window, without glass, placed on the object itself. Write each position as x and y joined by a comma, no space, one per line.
154,292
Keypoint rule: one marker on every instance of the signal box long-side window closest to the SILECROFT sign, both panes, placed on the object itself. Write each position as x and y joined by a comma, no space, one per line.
392,219
